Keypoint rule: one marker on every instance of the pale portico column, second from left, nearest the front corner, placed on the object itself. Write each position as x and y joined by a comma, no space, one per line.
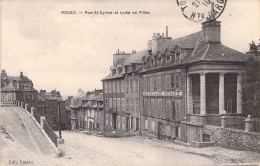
202,93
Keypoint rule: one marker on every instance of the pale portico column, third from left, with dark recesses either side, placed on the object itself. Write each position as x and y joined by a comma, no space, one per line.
221,94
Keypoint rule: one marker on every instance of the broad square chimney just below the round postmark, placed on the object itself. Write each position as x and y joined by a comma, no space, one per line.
211,32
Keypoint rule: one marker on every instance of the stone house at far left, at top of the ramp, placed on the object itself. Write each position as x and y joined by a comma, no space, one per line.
17,88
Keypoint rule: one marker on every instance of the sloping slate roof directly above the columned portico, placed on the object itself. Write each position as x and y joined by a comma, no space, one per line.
216,52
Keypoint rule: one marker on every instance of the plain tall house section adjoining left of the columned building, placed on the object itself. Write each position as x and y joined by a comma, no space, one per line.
122,92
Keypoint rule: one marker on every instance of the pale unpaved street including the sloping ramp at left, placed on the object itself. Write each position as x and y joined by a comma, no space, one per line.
21,141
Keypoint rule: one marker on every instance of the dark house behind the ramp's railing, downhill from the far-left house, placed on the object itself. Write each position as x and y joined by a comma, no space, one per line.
49,104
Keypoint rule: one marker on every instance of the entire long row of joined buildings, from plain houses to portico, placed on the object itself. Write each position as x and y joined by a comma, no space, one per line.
176,87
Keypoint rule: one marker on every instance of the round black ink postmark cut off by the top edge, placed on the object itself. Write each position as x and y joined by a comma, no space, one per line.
201,10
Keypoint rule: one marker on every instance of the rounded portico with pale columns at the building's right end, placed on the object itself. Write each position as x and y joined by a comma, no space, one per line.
214,92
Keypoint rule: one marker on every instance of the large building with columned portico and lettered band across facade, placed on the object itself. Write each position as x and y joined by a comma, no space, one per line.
190,82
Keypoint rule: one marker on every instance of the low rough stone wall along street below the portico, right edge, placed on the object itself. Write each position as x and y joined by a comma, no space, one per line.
235,139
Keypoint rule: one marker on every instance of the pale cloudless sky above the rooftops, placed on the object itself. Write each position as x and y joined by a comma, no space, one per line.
71,51
